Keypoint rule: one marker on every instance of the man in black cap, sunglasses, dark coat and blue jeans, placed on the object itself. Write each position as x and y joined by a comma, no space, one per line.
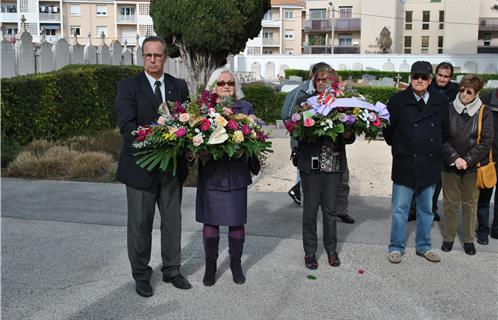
418,127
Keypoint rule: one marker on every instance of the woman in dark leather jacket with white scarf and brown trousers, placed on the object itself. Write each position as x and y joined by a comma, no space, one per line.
461,154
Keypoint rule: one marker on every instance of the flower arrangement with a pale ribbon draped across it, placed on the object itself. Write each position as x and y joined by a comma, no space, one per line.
336,110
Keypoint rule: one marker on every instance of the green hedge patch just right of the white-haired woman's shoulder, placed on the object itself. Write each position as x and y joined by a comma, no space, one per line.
266,101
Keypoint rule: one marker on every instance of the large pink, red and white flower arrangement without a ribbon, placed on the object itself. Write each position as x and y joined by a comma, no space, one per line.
200,127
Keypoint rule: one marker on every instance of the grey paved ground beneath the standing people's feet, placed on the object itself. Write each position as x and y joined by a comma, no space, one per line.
64,257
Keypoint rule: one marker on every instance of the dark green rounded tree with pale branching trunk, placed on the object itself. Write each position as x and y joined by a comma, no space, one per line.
205,32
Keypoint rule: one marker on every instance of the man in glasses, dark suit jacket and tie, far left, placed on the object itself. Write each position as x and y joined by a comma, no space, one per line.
137,102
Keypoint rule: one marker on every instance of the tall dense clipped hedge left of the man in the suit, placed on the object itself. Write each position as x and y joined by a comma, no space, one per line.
74,100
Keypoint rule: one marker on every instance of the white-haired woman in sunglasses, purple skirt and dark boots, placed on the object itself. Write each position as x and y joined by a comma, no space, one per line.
222,191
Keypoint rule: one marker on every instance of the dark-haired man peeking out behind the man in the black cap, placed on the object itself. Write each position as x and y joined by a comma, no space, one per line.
444,86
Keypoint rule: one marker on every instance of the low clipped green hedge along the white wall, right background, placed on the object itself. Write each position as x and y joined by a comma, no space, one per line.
356,75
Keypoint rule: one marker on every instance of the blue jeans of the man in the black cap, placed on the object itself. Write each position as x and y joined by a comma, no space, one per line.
401,199
